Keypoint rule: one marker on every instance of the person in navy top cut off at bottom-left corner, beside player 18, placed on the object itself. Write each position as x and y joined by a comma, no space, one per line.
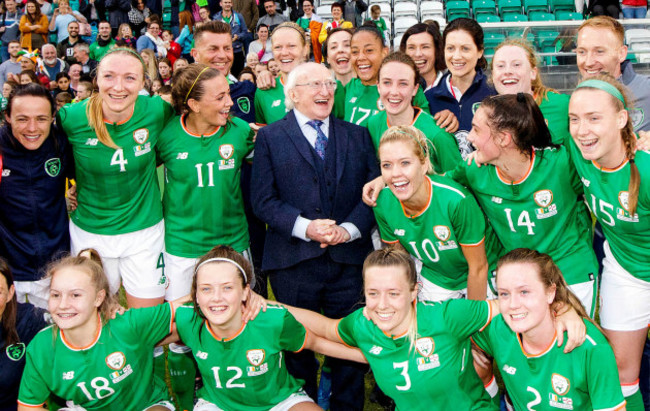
19,323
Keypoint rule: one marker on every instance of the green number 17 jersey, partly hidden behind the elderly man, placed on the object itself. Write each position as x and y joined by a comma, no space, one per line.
362,102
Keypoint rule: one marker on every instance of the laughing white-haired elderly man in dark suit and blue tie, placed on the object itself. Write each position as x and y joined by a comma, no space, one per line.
308,173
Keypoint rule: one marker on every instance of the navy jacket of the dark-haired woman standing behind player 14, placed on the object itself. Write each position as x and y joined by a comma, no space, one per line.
440,99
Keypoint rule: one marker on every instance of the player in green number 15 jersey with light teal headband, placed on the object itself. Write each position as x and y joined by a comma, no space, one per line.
616,180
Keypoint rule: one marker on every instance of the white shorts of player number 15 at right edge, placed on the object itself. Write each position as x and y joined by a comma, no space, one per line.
624,299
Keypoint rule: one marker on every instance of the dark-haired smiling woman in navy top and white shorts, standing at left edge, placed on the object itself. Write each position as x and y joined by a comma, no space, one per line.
35,160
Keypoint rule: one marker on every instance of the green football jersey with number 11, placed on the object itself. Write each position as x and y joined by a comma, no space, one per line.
204,171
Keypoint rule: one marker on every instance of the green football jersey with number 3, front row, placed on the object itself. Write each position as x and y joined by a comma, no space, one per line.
438,373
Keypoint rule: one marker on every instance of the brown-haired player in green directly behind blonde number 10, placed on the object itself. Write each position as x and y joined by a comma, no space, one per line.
398,84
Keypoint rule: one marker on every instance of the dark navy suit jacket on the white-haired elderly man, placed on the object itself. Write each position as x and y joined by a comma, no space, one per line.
285,185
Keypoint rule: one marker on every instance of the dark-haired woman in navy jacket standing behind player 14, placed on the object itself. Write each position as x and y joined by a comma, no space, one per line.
463,88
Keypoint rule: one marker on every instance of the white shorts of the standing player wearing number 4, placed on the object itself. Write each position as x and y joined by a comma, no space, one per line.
133,259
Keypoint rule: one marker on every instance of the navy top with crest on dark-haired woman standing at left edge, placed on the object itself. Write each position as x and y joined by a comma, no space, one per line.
33,215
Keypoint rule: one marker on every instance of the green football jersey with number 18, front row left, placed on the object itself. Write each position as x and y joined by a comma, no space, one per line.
115,372
